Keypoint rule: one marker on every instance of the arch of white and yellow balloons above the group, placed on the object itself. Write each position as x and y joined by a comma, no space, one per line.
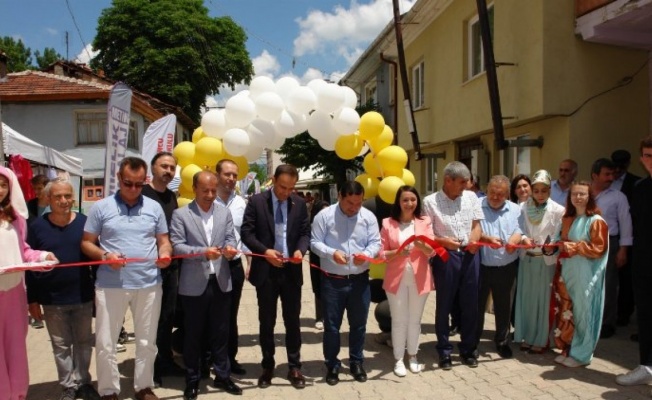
270,112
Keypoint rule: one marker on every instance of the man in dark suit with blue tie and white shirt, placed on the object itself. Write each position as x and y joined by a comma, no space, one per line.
276,224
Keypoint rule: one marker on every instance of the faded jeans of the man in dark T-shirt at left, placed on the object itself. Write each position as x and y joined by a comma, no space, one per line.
72,339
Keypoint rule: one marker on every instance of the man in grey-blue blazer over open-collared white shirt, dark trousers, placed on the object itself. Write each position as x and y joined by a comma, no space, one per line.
206,230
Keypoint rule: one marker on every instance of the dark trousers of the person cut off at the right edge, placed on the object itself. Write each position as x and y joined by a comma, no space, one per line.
643,298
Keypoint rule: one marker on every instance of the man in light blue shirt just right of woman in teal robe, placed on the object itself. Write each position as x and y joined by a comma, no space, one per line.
615,211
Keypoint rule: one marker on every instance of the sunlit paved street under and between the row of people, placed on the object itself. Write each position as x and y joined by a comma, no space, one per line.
523,377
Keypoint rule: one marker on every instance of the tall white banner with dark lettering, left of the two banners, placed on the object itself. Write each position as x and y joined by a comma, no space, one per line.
117,132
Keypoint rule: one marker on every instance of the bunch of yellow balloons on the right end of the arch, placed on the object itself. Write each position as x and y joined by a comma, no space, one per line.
384,164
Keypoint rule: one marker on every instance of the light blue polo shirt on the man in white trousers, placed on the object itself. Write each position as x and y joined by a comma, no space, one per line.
130,231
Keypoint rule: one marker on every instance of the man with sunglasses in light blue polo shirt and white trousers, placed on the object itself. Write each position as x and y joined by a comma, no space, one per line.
123,226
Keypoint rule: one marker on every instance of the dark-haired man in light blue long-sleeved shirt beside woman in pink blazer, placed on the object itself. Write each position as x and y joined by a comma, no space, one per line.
342,235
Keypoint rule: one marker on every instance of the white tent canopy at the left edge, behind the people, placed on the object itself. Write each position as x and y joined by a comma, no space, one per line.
14,143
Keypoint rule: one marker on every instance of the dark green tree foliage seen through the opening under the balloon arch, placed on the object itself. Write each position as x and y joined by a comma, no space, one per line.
304,152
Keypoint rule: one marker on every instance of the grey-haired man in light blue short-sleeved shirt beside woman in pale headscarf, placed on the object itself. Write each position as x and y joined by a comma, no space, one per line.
498,266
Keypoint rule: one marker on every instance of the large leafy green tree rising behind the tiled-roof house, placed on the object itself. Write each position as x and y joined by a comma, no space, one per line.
171,49
